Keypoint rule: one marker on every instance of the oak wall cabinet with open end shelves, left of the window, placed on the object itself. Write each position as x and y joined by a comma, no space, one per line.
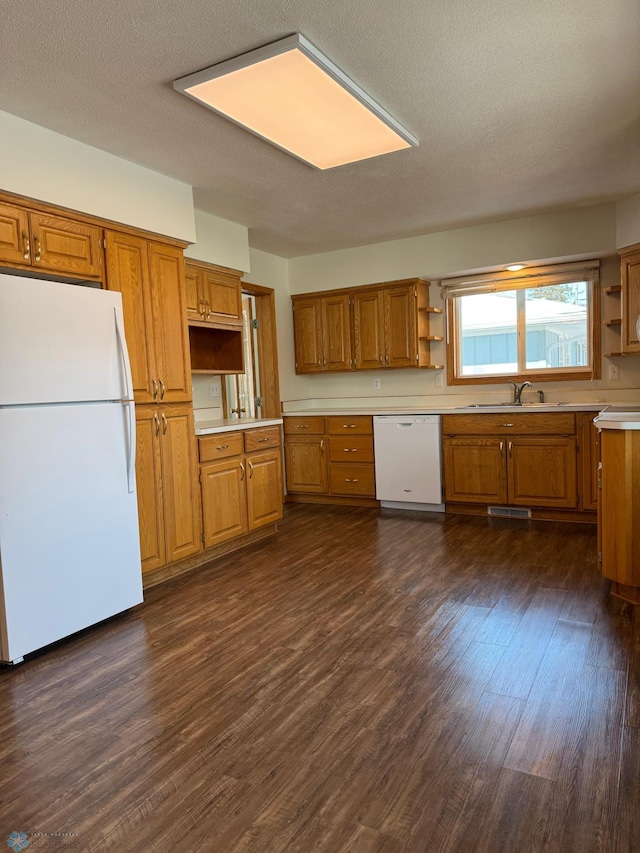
384,326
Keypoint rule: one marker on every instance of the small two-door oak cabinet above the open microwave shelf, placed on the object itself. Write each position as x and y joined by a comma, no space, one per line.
214,295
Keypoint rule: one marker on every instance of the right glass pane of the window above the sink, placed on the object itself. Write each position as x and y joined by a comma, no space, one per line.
557,326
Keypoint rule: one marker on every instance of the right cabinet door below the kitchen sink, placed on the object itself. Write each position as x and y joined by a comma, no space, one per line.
542,472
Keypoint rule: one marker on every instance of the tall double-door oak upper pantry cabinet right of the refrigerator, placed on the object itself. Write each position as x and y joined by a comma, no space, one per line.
150,277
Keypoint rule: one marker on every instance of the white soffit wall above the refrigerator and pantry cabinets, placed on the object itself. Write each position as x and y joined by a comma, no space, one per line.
40,164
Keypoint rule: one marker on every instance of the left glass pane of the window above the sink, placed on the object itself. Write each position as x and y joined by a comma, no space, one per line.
488,333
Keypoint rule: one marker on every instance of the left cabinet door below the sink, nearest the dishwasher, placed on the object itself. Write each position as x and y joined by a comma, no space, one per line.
475,470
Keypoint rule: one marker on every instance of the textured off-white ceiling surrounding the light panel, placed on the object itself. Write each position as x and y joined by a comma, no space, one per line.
519,107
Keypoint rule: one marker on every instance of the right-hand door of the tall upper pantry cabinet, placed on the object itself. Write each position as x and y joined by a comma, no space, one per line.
170,335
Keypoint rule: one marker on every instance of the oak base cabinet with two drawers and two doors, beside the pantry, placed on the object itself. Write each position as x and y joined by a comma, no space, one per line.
241,492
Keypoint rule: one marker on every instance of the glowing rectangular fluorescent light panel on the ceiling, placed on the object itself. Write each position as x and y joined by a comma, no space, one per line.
292,96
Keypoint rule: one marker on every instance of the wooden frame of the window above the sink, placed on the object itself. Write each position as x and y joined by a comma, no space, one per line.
550,374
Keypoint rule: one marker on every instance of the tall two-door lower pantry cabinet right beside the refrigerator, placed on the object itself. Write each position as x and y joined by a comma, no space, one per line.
168,495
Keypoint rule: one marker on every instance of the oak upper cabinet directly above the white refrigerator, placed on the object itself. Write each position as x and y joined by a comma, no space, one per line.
35,240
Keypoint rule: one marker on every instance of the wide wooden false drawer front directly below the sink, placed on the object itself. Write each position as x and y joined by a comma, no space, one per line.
543,423
